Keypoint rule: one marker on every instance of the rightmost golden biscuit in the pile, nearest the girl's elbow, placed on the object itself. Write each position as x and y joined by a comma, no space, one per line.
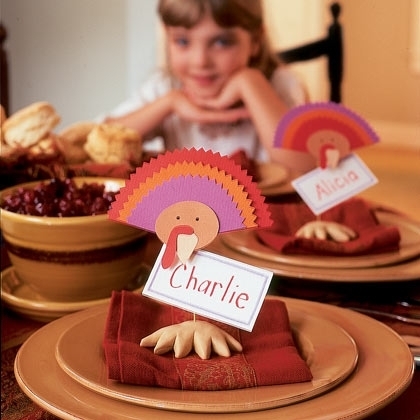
113,143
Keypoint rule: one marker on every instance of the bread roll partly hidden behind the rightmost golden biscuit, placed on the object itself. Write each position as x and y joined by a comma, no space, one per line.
72,140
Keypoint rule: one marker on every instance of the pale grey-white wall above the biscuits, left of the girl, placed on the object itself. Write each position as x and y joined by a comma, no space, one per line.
83,56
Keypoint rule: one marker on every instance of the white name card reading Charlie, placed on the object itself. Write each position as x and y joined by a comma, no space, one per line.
213,286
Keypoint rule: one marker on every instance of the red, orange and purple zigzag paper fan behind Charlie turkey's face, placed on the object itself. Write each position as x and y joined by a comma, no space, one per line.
191,175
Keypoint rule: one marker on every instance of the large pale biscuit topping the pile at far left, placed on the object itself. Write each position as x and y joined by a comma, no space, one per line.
29,125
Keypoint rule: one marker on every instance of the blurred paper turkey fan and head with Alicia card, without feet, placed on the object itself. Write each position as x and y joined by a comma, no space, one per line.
330,132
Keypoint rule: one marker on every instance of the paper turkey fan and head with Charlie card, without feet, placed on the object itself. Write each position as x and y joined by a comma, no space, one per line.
187,197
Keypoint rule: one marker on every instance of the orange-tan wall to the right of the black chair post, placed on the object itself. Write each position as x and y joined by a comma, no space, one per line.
380,79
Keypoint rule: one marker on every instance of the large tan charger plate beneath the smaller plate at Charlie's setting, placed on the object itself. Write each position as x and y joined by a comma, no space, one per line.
383,372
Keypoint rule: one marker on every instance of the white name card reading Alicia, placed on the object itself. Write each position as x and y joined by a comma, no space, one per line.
322,189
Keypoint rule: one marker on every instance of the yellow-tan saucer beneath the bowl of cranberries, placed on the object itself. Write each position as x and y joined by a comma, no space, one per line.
22,299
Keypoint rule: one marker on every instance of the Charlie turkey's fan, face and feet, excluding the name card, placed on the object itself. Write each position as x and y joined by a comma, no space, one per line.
187,197
